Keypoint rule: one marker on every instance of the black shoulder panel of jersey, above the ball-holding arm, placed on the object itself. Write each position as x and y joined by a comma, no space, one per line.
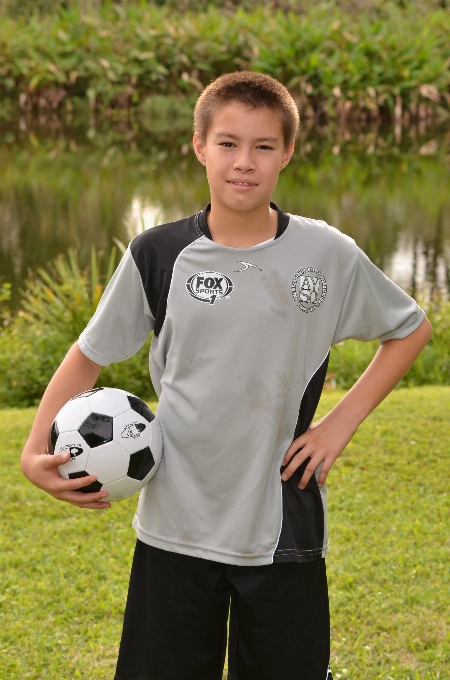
154,253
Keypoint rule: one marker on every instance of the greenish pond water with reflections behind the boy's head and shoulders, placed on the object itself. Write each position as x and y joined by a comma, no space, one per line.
62,188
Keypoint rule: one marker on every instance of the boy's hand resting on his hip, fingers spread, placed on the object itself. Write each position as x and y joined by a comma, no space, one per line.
322,443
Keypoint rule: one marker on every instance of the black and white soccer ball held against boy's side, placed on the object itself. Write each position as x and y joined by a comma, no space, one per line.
111,434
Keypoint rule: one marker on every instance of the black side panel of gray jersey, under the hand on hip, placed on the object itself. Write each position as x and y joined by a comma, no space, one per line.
302,531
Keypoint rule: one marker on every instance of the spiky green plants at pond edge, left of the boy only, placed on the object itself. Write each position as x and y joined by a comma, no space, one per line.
57,303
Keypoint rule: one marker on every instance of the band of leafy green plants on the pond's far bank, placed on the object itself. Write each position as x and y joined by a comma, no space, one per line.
386,62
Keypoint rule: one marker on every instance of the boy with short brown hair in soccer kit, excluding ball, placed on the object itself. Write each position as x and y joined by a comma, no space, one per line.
245,302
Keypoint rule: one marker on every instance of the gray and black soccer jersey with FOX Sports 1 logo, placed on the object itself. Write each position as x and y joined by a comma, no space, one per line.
238,359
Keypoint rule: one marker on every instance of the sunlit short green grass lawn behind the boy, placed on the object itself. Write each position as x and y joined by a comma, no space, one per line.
65,571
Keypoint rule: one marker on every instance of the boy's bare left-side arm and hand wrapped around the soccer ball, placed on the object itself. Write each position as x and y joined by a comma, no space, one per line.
76,374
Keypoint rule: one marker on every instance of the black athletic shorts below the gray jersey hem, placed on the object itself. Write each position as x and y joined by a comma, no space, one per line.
175,625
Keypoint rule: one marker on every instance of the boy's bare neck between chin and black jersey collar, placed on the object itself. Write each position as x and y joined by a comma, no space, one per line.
241,229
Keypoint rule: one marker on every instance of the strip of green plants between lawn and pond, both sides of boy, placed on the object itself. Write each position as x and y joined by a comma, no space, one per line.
58,302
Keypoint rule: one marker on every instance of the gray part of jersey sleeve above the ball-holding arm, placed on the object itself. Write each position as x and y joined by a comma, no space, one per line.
122,321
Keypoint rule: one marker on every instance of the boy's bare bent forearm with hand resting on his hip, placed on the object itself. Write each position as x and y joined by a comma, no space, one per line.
327,438
